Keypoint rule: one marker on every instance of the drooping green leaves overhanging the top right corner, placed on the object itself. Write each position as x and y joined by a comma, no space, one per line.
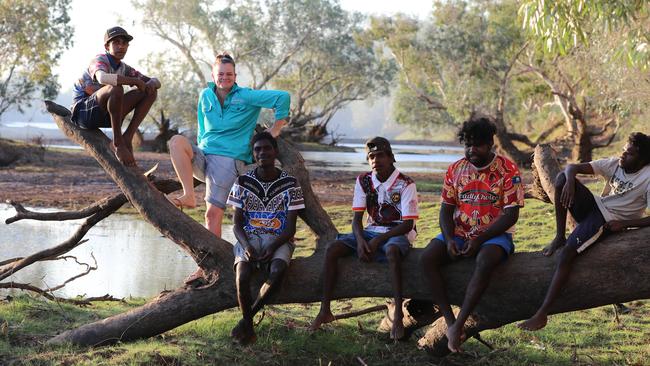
559,26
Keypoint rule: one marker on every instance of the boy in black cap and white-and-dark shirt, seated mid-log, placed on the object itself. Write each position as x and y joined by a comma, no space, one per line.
390,198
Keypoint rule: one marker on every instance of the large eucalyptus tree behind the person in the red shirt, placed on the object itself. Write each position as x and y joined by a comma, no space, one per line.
458,61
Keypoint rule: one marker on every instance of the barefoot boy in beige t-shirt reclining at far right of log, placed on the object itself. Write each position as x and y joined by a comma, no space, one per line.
623,206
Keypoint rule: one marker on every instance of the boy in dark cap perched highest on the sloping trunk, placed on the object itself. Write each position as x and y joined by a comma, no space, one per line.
99,98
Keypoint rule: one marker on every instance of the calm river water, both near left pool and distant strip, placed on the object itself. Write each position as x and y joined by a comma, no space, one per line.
134,259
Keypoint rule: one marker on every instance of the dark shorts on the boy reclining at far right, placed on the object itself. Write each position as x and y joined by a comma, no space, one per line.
591,223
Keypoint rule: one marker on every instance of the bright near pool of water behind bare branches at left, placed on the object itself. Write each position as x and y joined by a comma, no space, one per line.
133,258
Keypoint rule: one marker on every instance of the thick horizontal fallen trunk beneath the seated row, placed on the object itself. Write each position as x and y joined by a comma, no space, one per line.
516,290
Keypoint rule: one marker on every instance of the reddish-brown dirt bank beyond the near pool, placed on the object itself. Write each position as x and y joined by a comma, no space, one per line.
72,179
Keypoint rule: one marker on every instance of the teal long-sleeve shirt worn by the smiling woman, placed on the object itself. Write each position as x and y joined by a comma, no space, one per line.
227,131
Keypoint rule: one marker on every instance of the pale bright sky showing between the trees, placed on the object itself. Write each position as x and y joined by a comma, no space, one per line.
91,19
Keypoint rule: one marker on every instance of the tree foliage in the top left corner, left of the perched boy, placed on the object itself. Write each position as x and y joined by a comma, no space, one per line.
34,34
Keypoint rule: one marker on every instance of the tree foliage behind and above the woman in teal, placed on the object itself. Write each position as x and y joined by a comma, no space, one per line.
308,48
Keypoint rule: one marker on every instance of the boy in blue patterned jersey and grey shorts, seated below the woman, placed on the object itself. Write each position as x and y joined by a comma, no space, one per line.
266,202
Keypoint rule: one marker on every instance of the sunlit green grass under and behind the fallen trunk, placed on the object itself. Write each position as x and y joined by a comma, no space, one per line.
582,337
